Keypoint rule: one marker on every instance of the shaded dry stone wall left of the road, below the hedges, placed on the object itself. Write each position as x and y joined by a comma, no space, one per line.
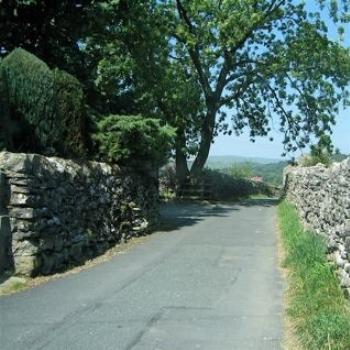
56,212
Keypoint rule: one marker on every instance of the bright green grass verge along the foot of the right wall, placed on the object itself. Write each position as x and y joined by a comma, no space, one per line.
316,303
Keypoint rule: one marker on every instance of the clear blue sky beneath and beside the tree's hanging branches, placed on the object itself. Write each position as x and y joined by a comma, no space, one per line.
241,146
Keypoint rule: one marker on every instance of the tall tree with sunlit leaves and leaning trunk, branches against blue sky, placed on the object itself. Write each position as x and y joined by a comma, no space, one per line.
261,60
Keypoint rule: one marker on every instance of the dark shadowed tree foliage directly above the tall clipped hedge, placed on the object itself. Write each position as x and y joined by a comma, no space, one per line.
48,29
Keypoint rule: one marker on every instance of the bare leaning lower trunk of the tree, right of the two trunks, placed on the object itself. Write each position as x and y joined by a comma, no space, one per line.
204,146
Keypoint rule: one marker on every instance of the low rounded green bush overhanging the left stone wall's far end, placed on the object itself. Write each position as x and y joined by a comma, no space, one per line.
134,139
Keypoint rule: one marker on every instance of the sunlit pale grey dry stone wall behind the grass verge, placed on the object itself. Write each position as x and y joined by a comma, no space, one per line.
322,196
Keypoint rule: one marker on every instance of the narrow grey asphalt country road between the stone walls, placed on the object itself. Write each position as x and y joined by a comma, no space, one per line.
209,281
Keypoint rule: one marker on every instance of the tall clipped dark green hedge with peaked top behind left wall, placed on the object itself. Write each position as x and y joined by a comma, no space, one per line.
46,107
